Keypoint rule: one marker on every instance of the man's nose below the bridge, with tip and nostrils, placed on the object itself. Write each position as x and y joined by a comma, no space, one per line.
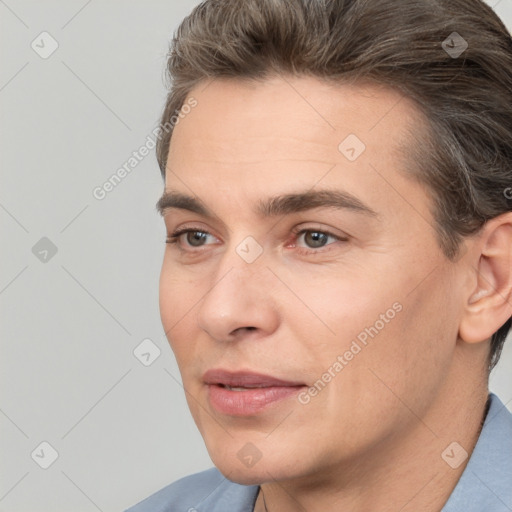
240,300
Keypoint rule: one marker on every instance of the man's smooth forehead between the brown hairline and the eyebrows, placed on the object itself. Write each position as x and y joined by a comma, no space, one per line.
254,139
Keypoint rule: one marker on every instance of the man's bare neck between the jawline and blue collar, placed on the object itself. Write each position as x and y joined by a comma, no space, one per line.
407,474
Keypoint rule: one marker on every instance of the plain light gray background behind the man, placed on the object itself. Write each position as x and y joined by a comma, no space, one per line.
69,326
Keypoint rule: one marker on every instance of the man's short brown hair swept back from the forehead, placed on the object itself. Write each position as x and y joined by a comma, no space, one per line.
465,155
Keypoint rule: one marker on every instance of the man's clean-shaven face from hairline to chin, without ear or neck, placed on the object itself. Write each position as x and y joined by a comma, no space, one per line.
325,313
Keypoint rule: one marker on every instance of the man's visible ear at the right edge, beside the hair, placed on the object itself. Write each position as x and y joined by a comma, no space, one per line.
489,304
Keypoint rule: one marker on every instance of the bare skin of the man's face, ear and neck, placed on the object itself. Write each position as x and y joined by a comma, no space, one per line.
372,439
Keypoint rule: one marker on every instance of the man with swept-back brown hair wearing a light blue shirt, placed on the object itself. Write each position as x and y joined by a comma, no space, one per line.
337,283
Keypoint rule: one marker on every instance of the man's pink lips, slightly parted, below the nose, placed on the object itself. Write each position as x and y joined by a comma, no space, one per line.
247,393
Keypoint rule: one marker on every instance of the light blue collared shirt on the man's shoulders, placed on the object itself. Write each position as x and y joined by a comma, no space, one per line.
484,486
